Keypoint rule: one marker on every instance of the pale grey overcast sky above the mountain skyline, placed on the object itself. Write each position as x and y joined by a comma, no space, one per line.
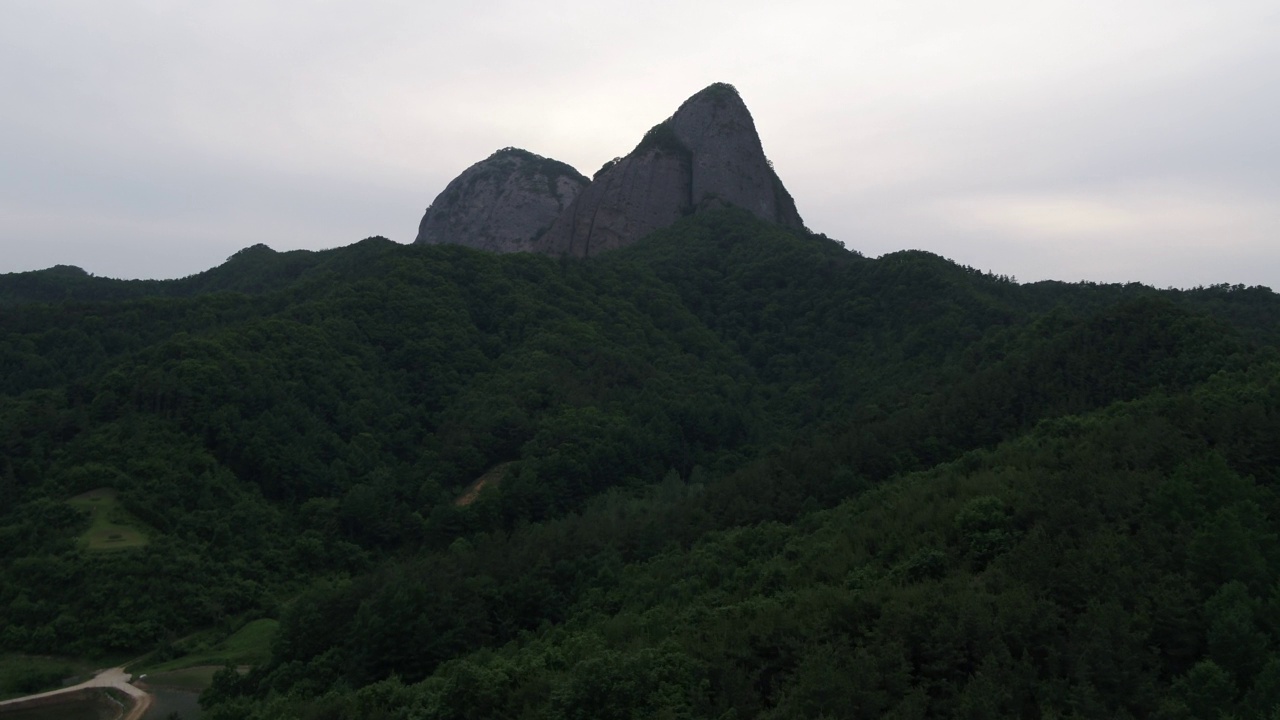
1103,140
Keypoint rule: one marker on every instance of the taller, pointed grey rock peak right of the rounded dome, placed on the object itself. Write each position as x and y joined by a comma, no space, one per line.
706,156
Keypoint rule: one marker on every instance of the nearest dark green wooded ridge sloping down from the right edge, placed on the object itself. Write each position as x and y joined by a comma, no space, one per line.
1118,564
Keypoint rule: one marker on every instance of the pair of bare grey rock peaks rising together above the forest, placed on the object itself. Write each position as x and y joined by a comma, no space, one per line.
706,156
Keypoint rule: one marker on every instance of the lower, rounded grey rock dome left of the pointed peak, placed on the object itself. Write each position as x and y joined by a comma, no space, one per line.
504,203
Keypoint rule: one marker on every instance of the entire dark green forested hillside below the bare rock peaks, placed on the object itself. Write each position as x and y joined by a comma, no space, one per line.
732,471
